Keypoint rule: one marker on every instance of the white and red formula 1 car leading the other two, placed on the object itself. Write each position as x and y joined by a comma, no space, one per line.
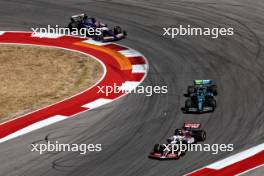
190,133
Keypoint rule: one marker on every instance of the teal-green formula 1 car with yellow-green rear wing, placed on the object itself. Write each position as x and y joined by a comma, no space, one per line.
201,97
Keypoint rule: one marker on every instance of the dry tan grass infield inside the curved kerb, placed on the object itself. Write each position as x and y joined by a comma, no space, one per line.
32,77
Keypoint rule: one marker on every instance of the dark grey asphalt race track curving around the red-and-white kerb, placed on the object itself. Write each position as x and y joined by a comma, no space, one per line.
129,127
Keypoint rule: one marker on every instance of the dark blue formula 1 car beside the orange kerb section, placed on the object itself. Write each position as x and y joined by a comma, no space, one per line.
102,32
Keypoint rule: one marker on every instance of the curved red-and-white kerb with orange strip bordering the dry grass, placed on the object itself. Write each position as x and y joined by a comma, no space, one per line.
123,67
